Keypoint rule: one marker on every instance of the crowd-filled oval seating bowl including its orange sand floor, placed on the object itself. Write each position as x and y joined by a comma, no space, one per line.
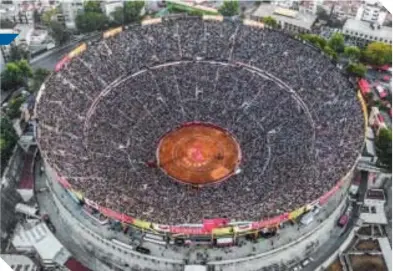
179,120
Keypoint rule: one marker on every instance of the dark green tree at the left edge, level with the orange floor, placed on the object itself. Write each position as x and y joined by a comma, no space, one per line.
8,139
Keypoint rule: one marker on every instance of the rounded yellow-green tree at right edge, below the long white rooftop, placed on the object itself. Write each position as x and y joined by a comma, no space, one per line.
378,53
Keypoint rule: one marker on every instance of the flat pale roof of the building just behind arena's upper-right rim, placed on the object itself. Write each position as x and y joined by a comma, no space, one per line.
289,16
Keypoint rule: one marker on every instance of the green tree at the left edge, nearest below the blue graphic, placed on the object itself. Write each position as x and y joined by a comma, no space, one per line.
15,75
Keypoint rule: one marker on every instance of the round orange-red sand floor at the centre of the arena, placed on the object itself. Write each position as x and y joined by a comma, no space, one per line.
198,154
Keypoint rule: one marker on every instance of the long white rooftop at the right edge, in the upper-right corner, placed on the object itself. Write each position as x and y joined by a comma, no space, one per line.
363,27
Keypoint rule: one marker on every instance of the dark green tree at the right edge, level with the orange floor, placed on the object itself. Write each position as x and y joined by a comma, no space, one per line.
383,144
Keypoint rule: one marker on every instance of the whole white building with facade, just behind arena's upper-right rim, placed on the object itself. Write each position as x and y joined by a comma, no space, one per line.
288,19
